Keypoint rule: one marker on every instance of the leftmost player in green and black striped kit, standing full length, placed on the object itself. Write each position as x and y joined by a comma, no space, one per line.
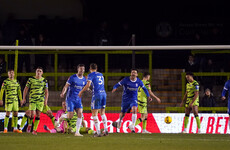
12,92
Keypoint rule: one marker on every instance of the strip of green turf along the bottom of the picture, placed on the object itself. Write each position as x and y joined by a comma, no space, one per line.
116,141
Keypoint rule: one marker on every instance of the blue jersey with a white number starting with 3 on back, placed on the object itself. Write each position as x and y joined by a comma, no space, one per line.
97,80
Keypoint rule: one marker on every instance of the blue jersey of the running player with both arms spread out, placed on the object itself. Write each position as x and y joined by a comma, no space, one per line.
130,88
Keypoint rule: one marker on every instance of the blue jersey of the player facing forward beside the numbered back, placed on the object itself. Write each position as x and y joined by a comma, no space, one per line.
76,84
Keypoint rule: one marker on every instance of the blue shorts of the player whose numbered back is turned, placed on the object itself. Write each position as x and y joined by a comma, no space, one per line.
98,101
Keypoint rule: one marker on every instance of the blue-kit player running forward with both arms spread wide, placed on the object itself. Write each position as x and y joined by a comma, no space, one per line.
129,97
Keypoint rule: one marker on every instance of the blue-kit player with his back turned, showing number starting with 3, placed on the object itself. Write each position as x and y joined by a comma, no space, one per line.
98,102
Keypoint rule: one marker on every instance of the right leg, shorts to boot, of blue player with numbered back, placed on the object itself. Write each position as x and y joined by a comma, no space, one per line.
103,116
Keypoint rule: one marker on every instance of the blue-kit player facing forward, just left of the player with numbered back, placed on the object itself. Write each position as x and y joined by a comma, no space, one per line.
73,86
